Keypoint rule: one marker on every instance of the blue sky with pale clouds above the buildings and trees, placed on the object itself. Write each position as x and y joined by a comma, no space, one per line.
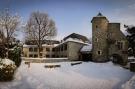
73,16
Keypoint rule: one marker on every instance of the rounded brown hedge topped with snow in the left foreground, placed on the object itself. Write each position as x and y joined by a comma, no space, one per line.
7,69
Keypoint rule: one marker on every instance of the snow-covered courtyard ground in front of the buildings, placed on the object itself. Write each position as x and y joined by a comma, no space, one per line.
87,75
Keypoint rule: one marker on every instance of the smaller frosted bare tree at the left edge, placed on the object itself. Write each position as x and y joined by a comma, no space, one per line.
8,25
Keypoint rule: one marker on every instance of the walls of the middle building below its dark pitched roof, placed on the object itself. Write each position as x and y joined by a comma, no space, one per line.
69,49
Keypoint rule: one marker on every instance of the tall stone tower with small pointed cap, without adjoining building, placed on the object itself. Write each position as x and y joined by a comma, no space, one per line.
99,38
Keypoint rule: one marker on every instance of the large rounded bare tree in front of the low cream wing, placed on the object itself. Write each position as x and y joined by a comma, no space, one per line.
40,27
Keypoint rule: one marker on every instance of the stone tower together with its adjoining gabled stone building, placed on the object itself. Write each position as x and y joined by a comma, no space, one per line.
108,41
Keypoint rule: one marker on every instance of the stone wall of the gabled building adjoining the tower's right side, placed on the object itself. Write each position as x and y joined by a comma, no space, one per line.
116,36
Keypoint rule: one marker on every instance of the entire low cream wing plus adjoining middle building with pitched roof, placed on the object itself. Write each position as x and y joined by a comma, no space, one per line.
68,48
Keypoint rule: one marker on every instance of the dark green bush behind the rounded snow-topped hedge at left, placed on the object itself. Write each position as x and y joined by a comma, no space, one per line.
15,55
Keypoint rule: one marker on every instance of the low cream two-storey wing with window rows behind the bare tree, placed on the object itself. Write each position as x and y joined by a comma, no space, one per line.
30,49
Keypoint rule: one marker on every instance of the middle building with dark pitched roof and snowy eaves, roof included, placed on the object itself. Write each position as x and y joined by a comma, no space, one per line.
71,46
